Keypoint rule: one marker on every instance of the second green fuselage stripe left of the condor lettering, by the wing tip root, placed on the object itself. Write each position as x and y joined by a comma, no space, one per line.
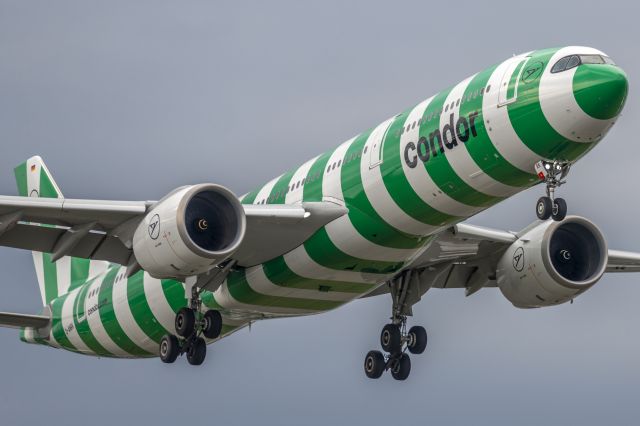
363,216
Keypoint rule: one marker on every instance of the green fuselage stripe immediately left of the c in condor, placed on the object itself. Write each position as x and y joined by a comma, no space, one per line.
398,185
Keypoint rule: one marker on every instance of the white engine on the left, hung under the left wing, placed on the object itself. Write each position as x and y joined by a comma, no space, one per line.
189,231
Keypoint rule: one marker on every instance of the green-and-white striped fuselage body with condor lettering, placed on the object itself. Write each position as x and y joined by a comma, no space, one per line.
404,181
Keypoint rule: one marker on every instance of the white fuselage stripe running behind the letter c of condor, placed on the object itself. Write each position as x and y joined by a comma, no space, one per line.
419,178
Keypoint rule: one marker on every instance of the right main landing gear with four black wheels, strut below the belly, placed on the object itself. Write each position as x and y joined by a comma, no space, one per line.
394,338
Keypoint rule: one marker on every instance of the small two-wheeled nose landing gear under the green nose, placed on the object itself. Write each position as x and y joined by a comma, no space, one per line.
553,173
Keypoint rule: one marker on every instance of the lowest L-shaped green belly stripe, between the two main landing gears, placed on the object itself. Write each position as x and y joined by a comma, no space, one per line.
240,290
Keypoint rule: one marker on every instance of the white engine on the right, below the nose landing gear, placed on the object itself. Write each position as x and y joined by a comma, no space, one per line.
552,263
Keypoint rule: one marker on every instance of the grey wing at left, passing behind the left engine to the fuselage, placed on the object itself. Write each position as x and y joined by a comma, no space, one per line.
103,230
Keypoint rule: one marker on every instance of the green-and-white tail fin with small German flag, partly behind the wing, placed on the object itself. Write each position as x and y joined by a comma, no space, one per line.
55,278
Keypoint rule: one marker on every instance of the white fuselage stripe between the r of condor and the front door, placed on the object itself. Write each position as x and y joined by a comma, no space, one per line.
499,127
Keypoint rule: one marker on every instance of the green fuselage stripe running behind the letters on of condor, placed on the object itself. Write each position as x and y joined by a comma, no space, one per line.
438,165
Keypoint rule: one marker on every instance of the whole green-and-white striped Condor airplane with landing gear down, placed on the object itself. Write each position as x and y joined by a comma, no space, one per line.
381,214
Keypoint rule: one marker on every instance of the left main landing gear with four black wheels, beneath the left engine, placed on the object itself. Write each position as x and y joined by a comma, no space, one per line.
191,326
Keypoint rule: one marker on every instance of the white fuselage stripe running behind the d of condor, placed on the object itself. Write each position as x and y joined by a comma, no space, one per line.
460,159
